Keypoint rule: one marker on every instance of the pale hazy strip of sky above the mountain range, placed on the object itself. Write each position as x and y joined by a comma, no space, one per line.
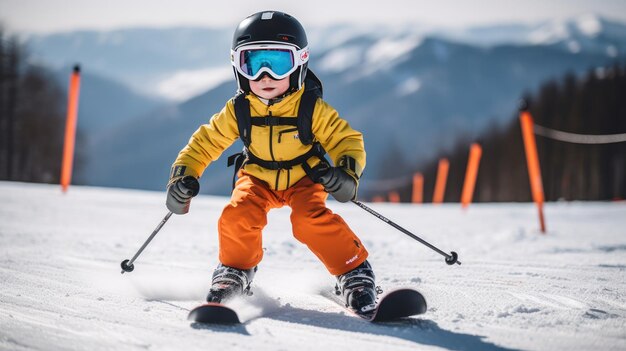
62,15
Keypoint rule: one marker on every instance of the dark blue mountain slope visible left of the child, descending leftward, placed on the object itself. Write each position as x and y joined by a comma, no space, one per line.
143,149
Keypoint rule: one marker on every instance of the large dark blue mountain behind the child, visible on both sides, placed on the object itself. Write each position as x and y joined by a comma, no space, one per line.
412,96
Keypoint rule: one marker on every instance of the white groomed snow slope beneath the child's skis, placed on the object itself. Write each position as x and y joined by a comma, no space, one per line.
61,287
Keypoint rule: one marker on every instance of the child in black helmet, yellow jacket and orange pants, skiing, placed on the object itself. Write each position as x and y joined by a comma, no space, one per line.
286,128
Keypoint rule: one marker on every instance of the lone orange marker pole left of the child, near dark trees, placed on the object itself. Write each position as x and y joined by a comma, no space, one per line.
70,129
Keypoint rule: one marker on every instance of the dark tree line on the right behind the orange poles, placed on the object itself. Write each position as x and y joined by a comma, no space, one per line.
592,104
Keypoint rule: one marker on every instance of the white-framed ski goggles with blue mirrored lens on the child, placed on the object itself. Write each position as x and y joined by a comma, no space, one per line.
277,60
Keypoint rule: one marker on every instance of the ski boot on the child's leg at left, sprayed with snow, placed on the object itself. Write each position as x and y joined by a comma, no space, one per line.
229,282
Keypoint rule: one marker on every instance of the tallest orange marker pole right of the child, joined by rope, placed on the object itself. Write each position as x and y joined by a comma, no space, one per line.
532,159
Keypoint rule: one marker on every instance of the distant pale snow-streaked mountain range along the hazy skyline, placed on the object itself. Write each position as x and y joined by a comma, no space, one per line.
146,59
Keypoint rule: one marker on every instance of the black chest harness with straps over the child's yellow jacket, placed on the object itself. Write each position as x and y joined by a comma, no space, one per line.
302,123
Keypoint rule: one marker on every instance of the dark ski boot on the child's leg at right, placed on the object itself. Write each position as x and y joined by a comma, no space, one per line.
358,288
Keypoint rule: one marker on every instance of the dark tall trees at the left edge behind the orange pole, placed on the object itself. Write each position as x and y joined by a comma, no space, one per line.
32,117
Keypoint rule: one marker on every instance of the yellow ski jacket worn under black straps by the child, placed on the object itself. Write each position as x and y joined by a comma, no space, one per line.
271,143
